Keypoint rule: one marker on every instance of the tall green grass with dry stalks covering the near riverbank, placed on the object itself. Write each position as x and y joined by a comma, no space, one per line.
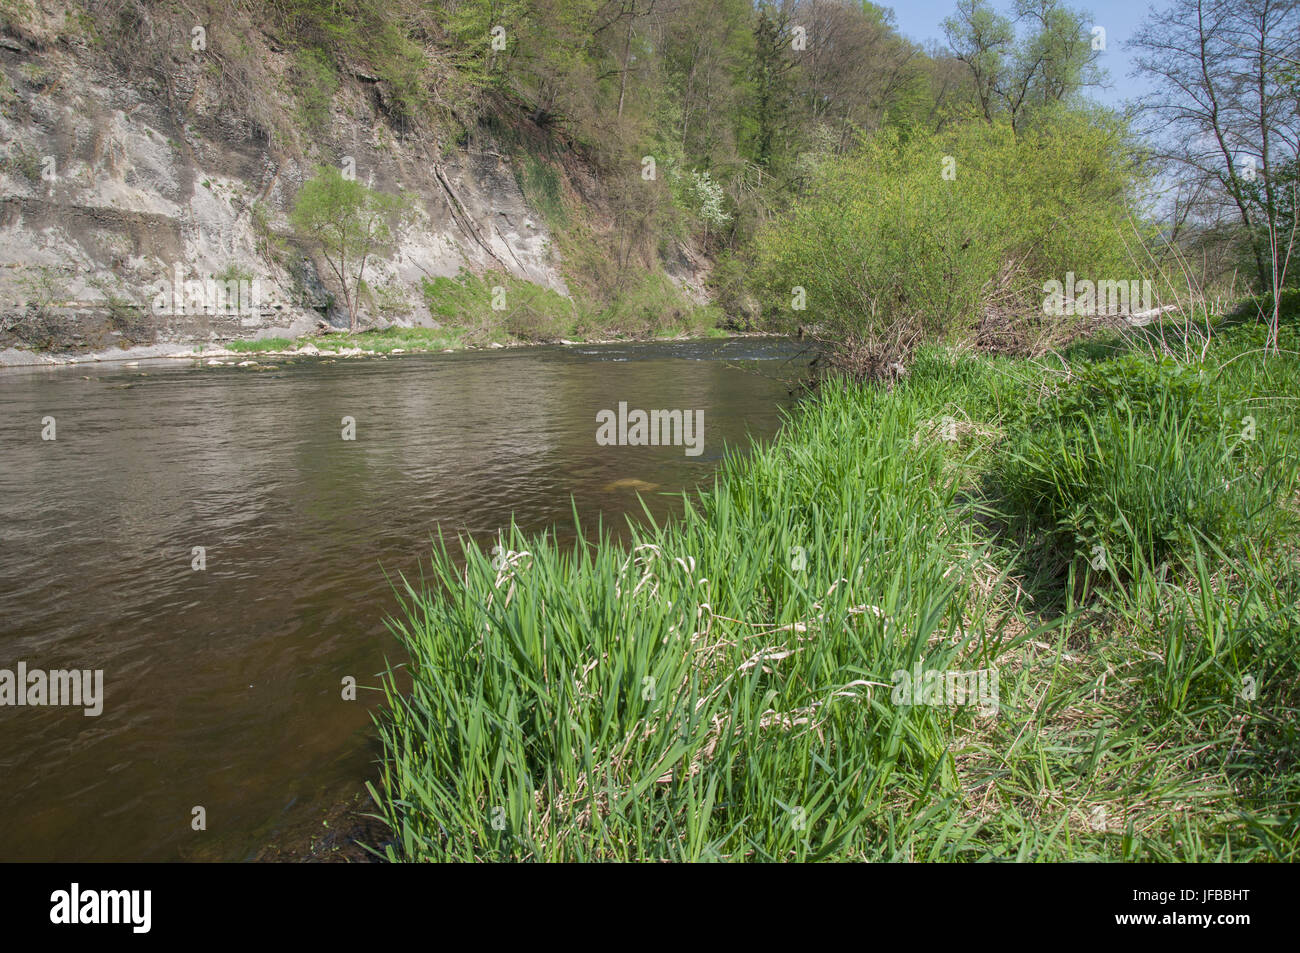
721,688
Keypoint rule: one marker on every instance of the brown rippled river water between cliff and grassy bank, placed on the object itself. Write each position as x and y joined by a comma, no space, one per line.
223,685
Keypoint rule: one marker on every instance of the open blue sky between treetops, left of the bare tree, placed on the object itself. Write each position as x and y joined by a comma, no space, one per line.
922,20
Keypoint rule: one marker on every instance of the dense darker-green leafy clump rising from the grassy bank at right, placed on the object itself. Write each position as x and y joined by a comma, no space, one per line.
1133,465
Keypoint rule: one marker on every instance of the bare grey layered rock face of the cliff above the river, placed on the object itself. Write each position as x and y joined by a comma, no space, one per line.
144,211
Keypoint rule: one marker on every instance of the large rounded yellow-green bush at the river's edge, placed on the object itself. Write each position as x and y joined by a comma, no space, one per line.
920,236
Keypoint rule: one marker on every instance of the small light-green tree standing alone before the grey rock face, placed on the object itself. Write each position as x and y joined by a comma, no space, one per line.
349,223
